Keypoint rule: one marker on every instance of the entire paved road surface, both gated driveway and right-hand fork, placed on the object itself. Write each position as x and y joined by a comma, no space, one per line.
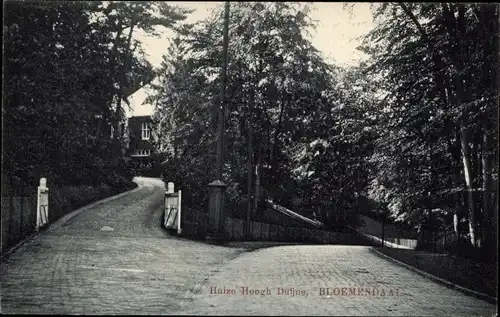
114,258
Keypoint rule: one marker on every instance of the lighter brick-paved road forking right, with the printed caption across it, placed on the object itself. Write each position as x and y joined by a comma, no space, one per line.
330,281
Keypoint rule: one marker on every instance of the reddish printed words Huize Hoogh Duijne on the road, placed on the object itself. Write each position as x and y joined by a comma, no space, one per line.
254,291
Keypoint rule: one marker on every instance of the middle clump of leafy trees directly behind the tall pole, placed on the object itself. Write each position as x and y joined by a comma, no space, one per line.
284,103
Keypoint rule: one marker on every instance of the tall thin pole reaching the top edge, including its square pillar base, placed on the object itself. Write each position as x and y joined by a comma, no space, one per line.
218,187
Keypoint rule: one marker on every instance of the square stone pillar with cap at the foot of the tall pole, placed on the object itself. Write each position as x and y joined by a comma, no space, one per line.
216,210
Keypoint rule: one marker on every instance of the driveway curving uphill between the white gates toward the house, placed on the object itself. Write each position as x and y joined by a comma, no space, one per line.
82,267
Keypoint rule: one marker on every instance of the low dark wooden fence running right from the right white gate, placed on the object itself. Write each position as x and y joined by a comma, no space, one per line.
195,225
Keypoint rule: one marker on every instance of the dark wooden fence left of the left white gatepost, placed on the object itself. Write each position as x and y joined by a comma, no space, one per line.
18,220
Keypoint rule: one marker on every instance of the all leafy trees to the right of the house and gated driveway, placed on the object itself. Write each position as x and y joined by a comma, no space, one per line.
409,135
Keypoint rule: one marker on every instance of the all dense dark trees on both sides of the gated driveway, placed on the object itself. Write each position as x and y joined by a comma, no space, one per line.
409,135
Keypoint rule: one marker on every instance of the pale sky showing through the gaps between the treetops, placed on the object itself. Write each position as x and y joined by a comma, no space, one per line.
336,36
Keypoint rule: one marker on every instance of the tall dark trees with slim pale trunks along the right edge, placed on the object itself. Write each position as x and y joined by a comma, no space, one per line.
436,156
